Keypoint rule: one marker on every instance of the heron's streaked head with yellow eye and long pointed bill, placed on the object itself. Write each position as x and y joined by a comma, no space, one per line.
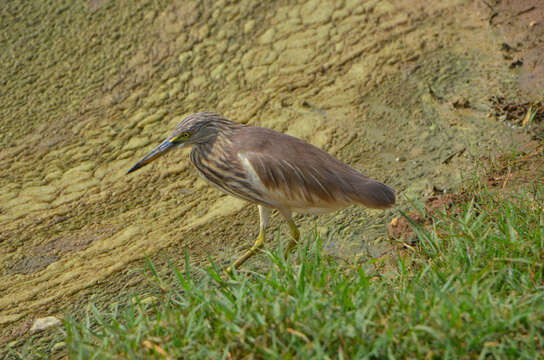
194,129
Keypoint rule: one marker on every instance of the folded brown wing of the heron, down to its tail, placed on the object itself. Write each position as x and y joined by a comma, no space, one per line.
297,174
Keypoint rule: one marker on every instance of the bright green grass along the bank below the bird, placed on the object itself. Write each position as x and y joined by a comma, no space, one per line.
471,288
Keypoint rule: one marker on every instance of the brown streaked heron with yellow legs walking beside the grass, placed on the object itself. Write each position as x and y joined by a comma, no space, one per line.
270,169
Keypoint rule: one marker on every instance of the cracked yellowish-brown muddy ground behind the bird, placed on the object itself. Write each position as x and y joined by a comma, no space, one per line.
401,90
